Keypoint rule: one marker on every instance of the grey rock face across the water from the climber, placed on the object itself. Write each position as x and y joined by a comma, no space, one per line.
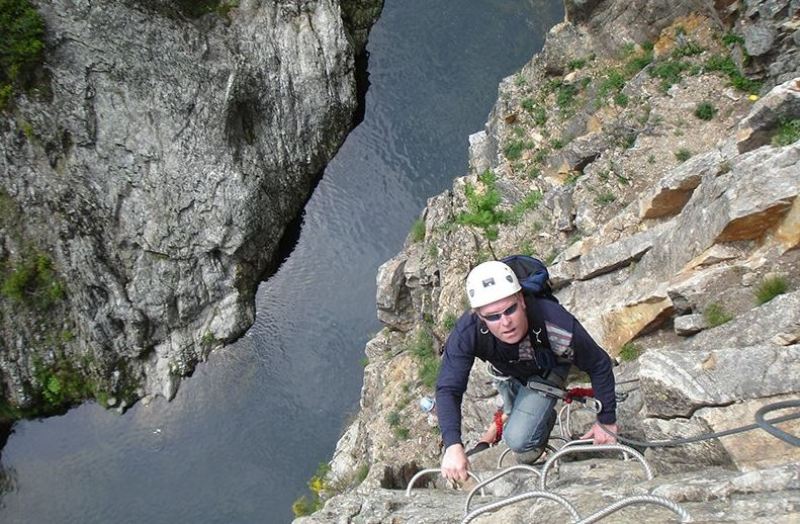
158,166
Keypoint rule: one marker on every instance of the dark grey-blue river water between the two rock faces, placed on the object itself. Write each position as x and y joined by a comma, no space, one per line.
247,431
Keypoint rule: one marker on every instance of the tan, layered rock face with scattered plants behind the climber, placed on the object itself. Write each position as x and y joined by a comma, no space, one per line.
672,236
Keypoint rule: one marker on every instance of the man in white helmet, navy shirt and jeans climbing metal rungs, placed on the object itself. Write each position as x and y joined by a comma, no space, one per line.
530,344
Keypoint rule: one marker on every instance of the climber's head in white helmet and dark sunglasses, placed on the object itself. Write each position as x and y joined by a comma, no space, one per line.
494,294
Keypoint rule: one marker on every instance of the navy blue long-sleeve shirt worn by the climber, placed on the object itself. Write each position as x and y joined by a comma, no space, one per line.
567,338
